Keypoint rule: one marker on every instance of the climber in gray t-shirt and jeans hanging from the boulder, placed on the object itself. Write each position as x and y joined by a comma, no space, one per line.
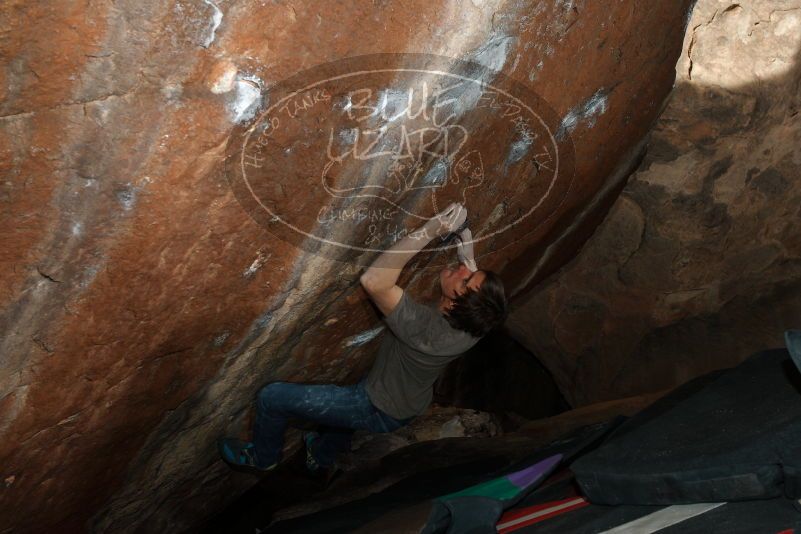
420,342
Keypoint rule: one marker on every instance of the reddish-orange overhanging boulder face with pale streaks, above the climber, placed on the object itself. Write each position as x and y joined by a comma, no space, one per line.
144,302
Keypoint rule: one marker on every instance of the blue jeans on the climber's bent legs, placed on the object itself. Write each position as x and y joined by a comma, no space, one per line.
340,410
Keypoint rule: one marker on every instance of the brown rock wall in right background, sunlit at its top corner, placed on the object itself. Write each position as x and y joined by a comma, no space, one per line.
698,264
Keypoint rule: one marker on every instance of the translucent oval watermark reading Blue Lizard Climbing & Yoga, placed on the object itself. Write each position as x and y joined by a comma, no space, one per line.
346,158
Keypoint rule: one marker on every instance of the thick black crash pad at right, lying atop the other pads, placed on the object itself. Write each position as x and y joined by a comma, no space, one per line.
730,436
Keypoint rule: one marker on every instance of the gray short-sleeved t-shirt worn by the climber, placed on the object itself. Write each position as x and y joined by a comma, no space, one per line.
414,350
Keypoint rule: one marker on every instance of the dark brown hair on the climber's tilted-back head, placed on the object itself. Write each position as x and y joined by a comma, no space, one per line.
479,311
